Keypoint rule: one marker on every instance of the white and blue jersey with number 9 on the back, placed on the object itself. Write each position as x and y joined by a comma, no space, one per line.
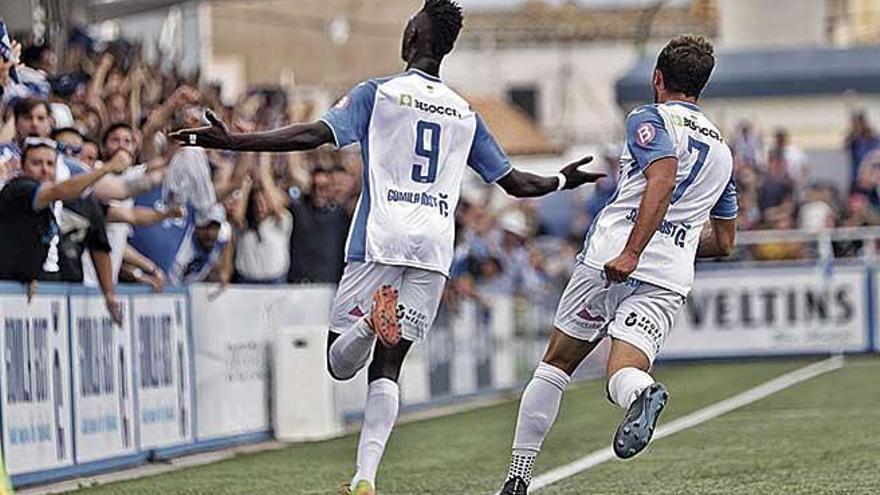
416,137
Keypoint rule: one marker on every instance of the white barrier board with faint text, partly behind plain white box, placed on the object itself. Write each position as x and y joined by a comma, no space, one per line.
233,332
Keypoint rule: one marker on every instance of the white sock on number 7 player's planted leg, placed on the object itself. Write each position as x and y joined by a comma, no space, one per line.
537,412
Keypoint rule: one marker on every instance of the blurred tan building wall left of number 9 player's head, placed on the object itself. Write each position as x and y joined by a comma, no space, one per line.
278,39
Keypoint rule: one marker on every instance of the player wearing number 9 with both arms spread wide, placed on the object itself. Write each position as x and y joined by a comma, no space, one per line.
416,137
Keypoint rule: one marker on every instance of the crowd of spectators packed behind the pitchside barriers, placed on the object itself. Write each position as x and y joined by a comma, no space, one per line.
118,201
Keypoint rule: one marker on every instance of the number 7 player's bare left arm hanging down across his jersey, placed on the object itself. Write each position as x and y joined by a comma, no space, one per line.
660,177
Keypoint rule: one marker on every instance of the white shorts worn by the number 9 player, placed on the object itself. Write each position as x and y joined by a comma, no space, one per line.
420,294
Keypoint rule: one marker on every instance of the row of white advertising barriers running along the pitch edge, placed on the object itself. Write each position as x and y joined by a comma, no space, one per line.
193,368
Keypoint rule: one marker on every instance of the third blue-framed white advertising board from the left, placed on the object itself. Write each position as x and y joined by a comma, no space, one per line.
162,370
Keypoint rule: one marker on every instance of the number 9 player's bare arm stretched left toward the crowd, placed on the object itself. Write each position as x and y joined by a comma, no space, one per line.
295,137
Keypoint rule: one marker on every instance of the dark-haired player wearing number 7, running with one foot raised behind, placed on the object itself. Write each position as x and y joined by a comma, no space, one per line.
675,201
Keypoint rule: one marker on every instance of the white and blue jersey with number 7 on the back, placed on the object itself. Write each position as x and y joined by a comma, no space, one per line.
704,188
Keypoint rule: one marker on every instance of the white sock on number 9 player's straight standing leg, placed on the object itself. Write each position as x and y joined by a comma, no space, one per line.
379,417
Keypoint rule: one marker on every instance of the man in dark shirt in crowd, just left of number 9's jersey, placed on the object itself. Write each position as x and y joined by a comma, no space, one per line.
320,227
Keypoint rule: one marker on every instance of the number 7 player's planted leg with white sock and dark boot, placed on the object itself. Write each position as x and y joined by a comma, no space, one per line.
540,404
